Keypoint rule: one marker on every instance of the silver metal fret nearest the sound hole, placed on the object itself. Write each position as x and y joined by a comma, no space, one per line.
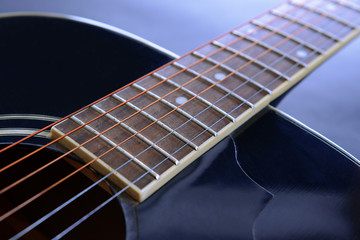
118,148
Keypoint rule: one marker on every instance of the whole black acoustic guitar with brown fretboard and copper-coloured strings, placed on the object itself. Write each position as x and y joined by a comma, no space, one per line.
187,147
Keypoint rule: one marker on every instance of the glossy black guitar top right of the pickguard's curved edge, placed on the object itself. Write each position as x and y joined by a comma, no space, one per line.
316,187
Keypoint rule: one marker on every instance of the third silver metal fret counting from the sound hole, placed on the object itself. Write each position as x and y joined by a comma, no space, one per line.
157,121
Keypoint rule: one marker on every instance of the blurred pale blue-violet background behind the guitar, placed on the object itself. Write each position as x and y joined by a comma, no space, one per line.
328,100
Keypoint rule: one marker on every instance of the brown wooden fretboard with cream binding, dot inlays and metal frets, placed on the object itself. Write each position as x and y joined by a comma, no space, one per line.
145,133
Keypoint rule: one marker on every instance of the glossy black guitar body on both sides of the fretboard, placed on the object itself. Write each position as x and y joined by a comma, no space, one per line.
273,180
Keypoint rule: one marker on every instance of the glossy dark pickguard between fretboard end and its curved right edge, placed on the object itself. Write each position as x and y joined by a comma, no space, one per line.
211,199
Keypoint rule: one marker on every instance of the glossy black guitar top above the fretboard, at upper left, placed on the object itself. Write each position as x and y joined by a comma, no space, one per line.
54,66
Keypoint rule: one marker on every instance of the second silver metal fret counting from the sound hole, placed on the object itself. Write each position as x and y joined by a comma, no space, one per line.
139,135
